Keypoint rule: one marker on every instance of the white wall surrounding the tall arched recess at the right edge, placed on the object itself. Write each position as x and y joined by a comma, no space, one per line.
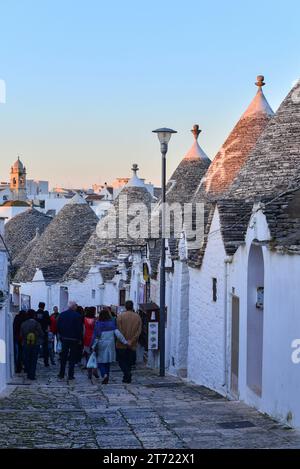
281,377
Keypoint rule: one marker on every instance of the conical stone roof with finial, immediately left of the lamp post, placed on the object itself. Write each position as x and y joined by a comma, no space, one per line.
98,250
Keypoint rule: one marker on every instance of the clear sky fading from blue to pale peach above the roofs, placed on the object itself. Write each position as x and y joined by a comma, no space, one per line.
87,81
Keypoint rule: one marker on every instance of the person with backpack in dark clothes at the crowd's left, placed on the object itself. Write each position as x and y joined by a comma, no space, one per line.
32,336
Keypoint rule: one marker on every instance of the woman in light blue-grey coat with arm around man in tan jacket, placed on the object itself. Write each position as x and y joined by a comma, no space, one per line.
104,343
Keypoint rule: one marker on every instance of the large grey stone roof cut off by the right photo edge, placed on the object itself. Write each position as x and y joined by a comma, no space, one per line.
274,163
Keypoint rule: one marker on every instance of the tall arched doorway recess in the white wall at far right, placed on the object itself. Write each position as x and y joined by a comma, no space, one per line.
255,319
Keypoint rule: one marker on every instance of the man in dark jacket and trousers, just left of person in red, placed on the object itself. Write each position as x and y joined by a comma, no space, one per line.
70,330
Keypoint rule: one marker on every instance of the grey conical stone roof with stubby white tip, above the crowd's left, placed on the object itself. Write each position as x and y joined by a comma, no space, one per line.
60,243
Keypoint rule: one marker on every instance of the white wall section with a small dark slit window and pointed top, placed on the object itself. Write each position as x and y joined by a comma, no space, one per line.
206,363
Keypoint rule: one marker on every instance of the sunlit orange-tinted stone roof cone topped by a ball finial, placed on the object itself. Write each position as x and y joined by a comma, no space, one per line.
237,147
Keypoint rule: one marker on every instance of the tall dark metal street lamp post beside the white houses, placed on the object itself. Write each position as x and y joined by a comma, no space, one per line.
164,136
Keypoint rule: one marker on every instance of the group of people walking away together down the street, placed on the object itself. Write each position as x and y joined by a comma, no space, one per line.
77,334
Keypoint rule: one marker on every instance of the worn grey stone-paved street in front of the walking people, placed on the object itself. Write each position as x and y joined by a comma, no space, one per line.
150,413
